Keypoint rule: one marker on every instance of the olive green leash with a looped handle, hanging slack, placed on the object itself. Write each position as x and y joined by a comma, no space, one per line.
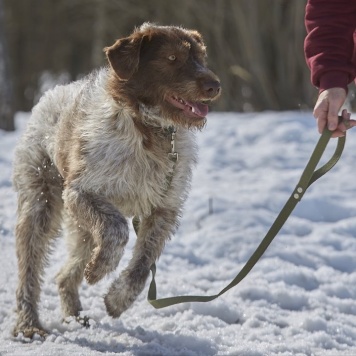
309,176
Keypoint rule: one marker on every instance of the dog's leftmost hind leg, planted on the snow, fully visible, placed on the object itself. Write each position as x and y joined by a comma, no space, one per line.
39,217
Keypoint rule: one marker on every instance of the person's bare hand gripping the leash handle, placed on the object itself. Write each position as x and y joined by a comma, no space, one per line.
326,112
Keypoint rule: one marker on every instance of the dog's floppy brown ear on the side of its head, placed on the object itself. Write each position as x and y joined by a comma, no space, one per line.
124,56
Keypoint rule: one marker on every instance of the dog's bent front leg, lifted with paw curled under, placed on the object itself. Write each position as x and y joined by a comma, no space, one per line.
106,225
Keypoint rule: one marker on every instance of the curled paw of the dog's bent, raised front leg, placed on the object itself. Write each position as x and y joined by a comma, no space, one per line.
103,261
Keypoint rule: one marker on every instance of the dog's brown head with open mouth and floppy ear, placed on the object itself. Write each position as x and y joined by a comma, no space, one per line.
164,68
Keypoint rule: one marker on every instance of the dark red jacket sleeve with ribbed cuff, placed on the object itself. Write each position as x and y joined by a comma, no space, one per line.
330,43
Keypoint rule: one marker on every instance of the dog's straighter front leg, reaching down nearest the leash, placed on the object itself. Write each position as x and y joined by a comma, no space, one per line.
152,234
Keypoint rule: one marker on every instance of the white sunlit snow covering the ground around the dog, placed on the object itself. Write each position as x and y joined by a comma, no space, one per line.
300,299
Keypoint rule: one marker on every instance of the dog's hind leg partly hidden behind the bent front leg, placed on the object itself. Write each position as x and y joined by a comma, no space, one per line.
80,246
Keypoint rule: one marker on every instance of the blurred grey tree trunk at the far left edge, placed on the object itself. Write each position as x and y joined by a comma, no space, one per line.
6,108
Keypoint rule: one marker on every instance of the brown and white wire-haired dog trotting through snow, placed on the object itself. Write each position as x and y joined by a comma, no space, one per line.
97,152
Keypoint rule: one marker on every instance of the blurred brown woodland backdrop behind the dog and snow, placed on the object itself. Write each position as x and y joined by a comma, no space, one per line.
256,47
